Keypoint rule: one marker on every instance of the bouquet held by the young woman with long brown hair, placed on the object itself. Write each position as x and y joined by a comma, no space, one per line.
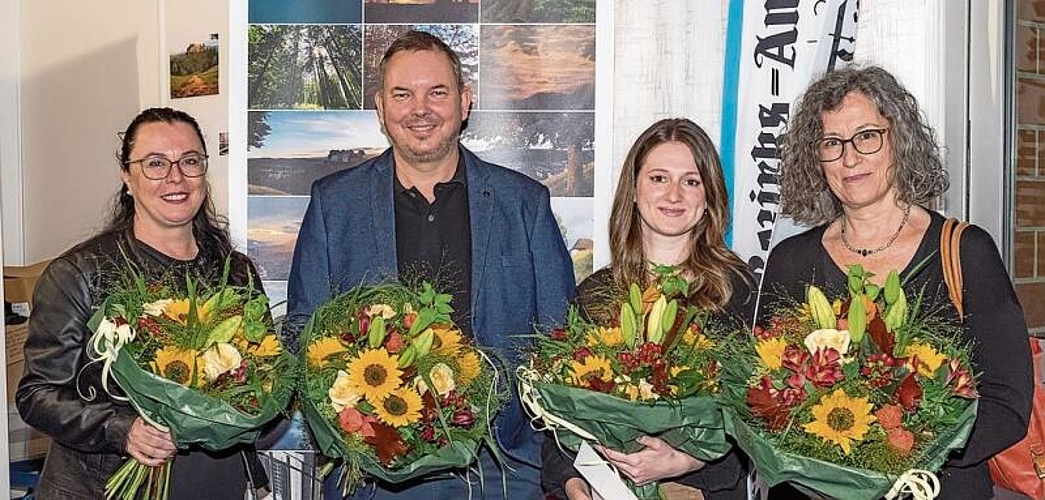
649,370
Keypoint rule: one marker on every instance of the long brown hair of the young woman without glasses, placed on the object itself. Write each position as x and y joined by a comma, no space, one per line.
711,265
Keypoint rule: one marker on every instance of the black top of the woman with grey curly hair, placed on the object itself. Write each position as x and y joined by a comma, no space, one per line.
994,324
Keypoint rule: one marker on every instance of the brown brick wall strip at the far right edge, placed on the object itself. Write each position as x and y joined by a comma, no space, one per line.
1029,265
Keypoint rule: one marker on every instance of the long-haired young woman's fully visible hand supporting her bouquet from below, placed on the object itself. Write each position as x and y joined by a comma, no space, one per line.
658,461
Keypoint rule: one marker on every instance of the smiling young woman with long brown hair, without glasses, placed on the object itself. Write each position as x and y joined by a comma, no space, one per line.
671,208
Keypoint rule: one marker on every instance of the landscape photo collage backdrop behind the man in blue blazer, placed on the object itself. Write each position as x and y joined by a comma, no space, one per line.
313,75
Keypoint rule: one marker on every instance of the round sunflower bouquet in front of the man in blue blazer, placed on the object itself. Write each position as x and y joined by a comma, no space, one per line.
392,388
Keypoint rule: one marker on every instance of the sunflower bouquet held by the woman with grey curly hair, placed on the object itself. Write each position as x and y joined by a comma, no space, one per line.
858,399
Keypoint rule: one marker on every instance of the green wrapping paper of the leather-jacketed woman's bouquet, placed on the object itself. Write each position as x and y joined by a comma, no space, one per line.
192,417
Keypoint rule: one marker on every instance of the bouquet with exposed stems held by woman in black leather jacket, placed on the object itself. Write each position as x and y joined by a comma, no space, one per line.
201,361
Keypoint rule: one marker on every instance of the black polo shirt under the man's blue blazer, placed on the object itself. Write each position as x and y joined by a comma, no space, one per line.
434,241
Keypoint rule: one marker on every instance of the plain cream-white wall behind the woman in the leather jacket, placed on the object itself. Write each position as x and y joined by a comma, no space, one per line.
84,70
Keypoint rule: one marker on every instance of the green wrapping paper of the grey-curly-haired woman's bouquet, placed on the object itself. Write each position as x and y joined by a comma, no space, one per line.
827,480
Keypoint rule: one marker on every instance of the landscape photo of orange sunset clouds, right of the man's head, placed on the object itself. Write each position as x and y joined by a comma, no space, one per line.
545,67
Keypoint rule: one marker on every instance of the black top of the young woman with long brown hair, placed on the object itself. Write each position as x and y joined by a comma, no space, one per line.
723,480
